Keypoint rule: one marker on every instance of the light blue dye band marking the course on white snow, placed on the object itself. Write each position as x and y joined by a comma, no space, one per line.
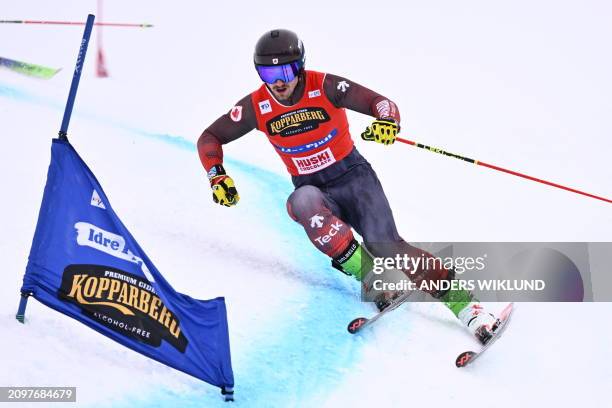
307,352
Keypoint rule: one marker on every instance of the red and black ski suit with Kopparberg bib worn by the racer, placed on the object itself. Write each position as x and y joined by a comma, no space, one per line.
335,186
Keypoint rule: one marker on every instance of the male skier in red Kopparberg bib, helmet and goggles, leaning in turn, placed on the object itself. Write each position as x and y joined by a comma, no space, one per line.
302,113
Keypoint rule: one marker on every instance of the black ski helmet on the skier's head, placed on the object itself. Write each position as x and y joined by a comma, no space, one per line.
278,47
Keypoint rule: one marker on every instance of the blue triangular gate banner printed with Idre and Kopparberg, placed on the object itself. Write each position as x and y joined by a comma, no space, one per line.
86,264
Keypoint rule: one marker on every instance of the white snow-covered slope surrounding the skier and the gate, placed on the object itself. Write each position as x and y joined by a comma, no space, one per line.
522,84
